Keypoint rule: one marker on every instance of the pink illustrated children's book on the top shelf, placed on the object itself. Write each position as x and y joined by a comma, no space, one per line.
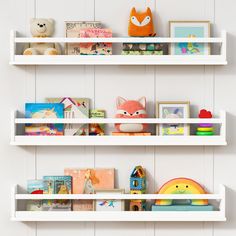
96,48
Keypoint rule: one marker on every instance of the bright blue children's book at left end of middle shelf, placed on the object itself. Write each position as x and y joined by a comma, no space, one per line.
42,111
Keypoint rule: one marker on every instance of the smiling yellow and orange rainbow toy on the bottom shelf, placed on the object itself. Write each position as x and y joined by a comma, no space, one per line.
181,186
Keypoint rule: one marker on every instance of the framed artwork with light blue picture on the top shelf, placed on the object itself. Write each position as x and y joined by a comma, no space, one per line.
189,29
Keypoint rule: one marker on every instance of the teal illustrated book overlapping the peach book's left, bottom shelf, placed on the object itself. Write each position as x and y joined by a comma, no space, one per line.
57,185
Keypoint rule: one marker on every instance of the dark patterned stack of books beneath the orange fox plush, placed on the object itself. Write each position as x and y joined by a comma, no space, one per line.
144,49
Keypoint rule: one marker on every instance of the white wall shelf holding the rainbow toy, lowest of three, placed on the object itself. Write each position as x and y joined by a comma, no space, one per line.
218,215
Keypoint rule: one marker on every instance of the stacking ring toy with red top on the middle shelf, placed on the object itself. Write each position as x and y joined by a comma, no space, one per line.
205,129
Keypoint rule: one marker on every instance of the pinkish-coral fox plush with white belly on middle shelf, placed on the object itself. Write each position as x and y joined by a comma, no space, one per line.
131,109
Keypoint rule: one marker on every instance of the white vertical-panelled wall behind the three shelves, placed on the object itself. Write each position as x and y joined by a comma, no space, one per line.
210,87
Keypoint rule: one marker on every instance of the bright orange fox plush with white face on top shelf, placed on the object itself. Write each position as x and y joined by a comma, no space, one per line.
141,23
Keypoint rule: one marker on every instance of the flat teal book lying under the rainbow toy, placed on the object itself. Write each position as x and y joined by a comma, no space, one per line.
182,208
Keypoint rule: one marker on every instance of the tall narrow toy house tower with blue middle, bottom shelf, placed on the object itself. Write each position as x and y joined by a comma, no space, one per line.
138,186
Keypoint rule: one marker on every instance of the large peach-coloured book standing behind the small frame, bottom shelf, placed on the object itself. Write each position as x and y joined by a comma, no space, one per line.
87,181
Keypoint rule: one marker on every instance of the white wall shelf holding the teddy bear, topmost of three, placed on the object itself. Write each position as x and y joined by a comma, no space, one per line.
220,59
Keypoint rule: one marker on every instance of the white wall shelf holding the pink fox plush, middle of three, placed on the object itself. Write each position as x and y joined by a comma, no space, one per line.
154,140
